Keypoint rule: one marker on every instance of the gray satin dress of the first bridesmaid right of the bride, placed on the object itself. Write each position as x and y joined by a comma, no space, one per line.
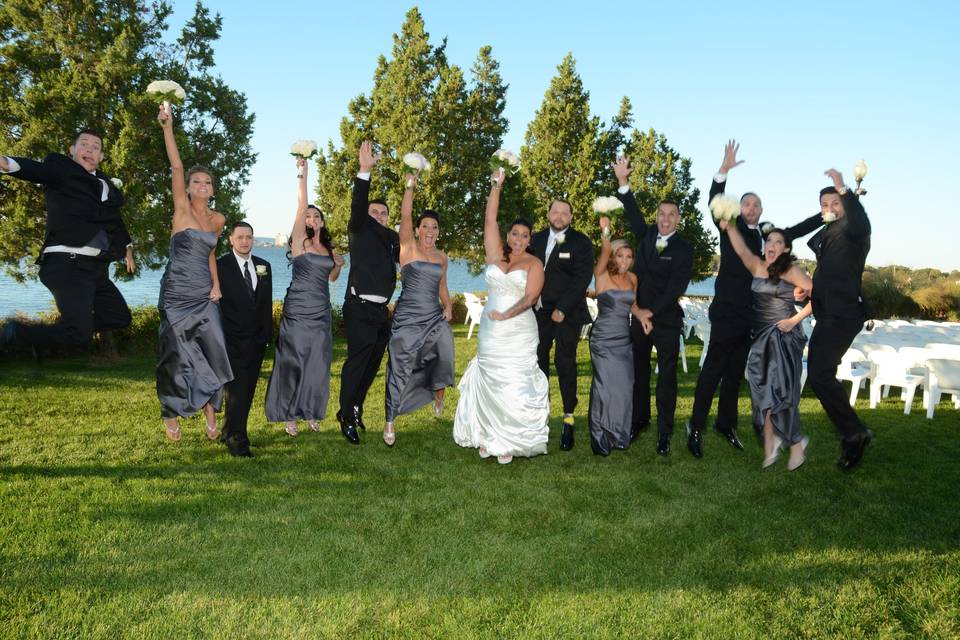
611,392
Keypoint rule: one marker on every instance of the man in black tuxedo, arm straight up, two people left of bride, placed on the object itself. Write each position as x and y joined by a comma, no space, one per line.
374,252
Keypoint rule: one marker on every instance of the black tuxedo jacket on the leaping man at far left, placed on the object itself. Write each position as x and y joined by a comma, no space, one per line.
75,215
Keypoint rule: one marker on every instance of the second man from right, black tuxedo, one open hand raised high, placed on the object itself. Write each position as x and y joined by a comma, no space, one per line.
730,315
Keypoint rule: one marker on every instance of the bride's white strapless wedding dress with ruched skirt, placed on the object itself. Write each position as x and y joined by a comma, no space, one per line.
504,396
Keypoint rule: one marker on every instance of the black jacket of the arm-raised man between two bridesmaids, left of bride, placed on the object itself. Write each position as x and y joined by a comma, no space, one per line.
374,249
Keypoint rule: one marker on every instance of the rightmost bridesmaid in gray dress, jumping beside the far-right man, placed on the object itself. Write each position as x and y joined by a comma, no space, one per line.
775,362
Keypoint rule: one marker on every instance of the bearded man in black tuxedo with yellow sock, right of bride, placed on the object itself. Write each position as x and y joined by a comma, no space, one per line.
567,257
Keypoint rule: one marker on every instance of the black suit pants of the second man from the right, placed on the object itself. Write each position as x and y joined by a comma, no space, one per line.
723,366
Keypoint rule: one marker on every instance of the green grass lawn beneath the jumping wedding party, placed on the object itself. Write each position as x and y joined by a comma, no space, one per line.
107,530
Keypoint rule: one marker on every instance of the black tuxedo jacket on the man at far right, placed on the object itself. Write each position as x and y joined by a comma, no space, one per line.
841,248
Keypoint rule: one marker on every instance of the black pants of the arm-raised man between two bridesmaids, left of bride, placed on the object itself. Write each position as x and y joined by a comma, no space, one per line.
368,332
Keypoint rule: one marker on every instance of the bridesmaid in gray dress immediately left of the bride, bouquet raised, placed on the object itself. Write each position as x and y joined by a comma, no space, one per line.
420,363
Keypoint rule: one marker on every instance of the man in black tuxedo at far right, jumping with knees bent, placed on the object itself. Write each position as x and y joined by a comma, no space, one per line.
841,248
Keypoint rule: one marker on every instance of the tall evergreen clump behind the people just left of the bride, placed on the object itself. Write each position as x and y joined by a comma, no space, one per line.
420,102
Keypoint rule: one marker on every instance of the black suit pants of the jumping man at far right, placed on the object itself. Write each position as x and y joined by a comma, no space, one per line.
830,339
